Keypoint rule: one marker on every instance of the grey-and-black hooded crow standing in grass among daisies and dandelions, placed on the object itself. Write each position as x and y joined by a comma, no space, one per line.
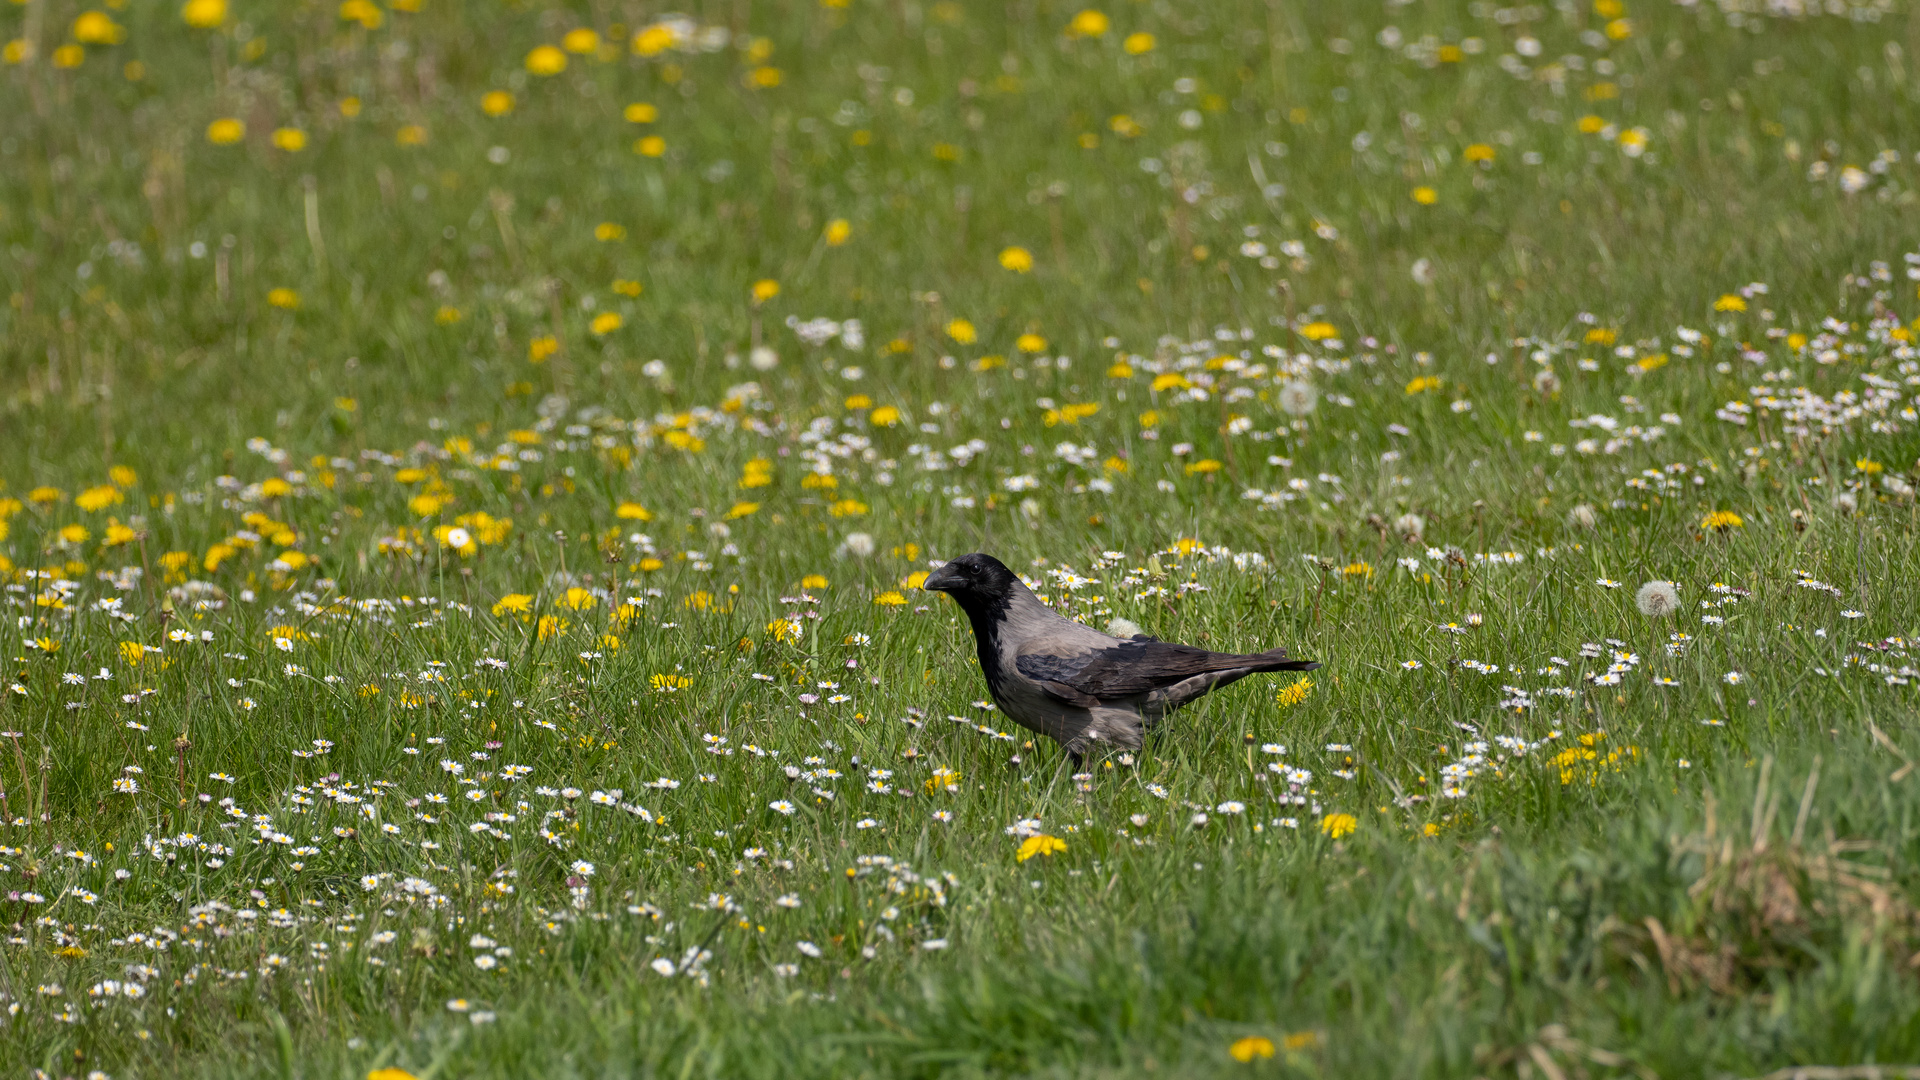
1072,683
